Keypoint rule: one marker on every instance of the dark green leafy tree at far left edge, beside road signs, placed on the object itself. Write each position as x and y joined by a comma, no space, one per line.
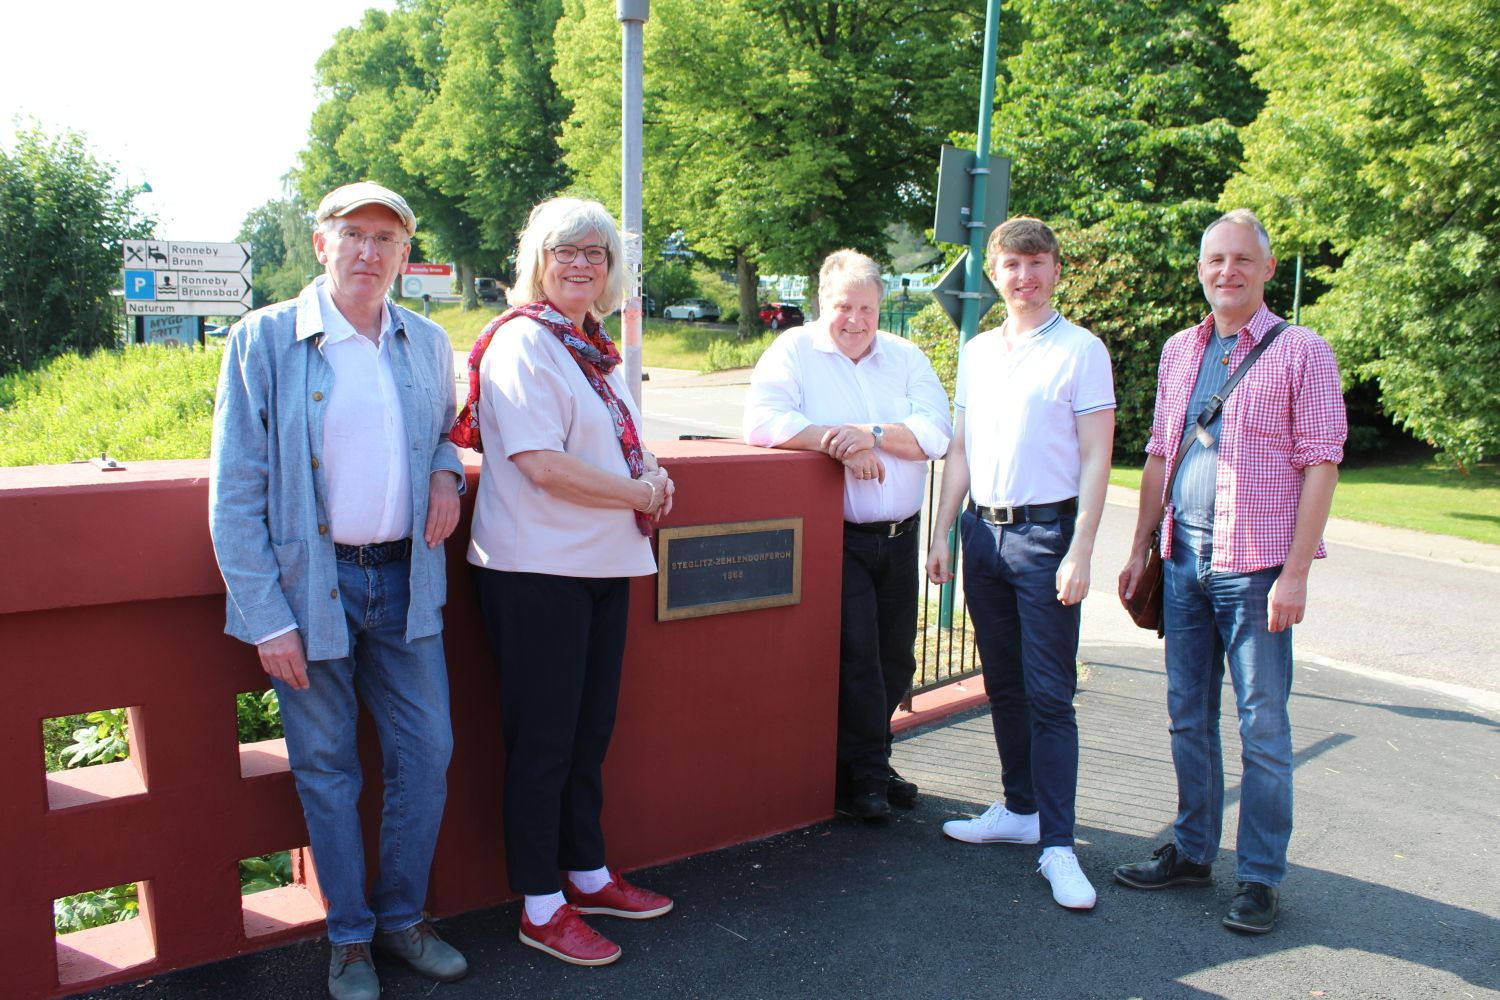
64,221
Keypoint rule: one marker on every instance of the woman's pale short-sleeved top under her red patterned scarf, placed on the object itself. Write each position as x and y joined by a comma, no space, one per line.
535,398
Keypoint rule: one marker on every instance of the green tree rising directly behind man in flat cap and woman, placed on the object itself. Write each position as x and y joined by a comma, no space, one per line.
449,103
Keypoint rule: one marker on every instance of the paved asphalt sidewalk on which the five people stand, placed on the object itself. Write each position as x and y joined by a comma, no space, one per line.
1394,888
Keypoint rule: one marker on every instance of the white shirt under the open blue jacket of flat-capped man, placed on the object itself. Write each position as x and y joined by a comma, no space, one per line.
365,464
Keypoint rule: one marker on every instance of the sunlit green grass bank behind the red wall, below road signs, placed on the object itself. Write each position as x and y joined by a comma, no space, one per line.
145,403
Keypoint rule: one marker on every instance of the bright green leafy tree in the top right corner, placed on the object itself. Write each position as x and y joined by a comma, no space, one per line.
1381,146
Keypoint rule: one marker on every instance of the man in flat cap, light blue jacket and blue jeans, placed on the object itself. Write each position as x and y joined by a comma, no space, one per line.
332,490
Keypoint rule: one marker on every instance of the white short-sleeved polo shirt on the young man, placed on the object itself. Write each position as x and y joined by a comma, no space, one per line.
1021,406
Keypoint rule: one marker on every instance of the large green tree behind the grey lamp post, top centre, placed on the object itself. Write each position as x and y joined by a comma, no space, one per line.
818,127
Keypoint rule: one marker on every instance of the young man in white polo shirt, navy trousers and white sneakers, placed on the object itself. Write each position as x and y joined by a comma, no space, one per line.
1033,437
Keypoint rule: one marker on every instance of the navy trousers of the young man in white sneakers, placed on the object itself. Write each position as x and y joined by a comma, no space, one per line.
1030,651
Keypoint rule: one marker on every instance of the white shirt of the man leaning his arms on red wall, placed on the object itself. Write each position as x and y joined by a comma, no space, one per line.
805,380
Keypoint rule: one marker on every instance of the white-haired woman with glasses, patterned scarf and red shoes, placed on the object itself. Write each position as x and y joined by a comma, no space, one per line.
563,519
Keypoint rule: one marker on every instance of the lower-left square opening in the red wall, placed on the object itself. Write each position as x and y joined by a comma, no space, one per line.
101,932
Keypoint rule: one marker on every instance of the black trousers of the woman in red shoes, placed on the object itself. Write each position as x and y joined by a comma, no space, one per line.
559,644
